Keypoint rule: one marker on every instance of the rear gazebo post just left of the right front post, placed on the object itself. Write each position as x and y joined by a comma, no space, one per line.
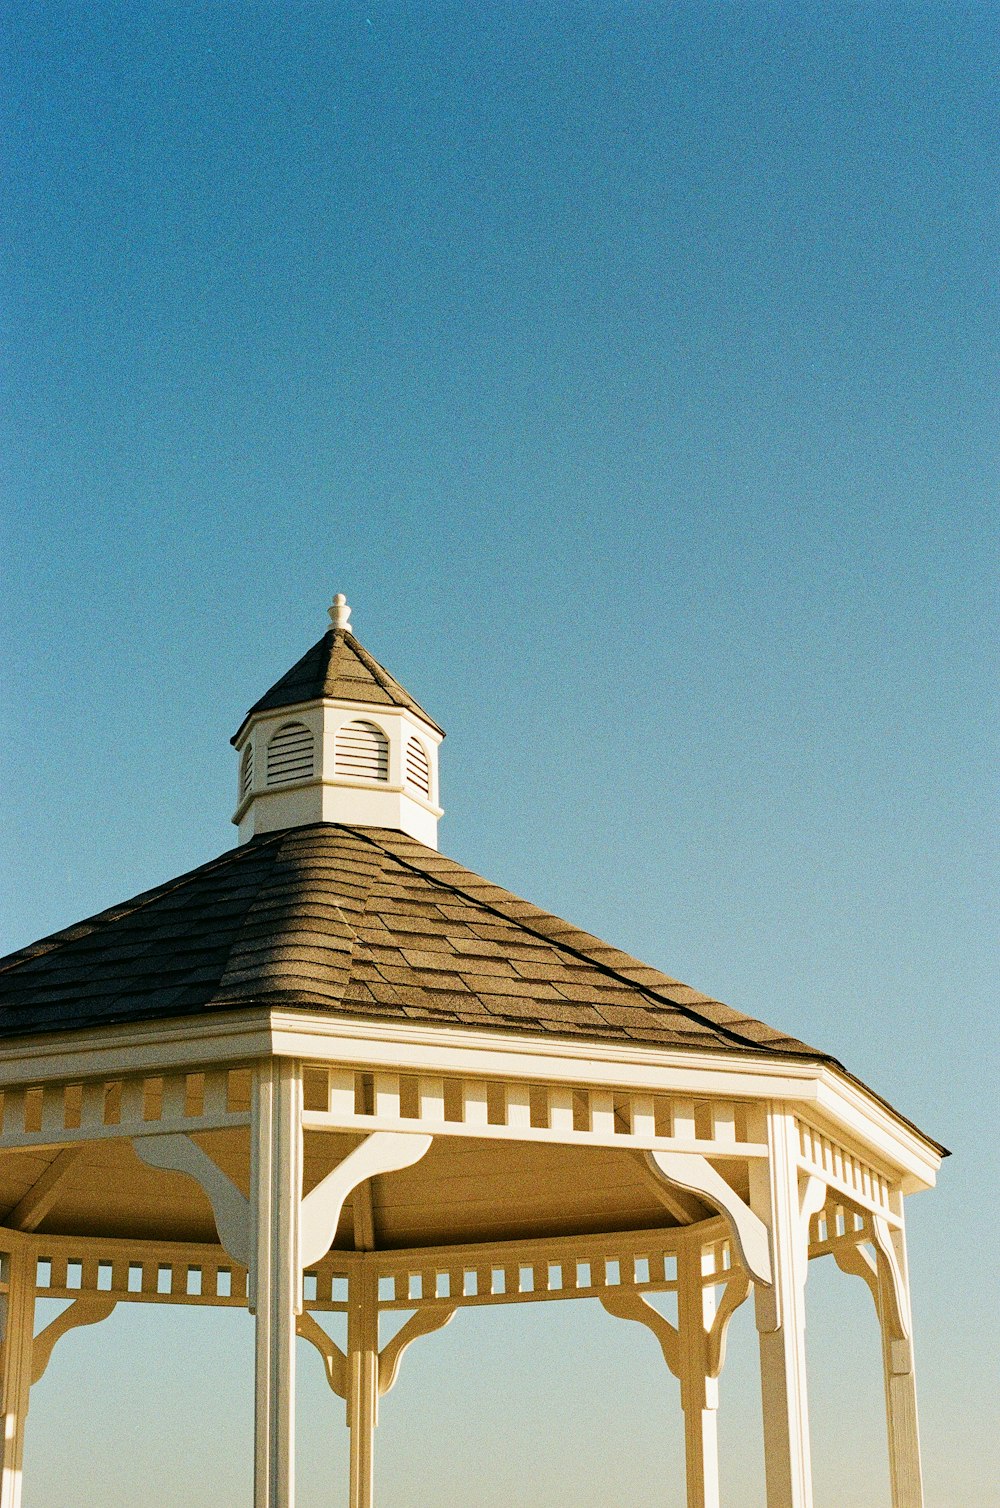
699,1391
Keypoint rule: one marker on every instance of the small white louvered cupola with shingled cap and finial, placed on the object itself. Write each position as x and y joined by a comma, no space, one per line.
339,740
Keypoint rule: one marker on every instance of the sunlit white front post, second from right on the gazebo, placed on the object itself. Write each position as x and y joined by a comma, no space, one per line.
781,1311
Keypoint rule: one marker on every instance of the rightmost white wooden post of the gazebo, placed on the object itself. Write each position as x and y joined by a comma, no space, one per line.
901,1385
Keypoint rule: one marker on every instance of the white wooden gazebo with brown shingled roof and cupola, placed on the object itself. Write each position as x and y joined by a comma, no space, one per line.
336,1071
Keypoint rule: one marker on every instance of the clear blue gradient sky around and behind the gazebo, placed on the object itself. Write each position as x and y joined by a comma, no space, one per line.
633,369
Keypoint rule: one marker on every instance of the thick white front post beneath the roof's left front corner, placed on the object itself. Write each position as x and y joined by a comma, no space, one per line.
275,1277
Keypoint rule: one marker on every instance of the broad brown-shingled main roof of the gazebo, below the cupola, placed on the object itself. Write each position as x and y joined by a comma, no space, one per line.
364,924
